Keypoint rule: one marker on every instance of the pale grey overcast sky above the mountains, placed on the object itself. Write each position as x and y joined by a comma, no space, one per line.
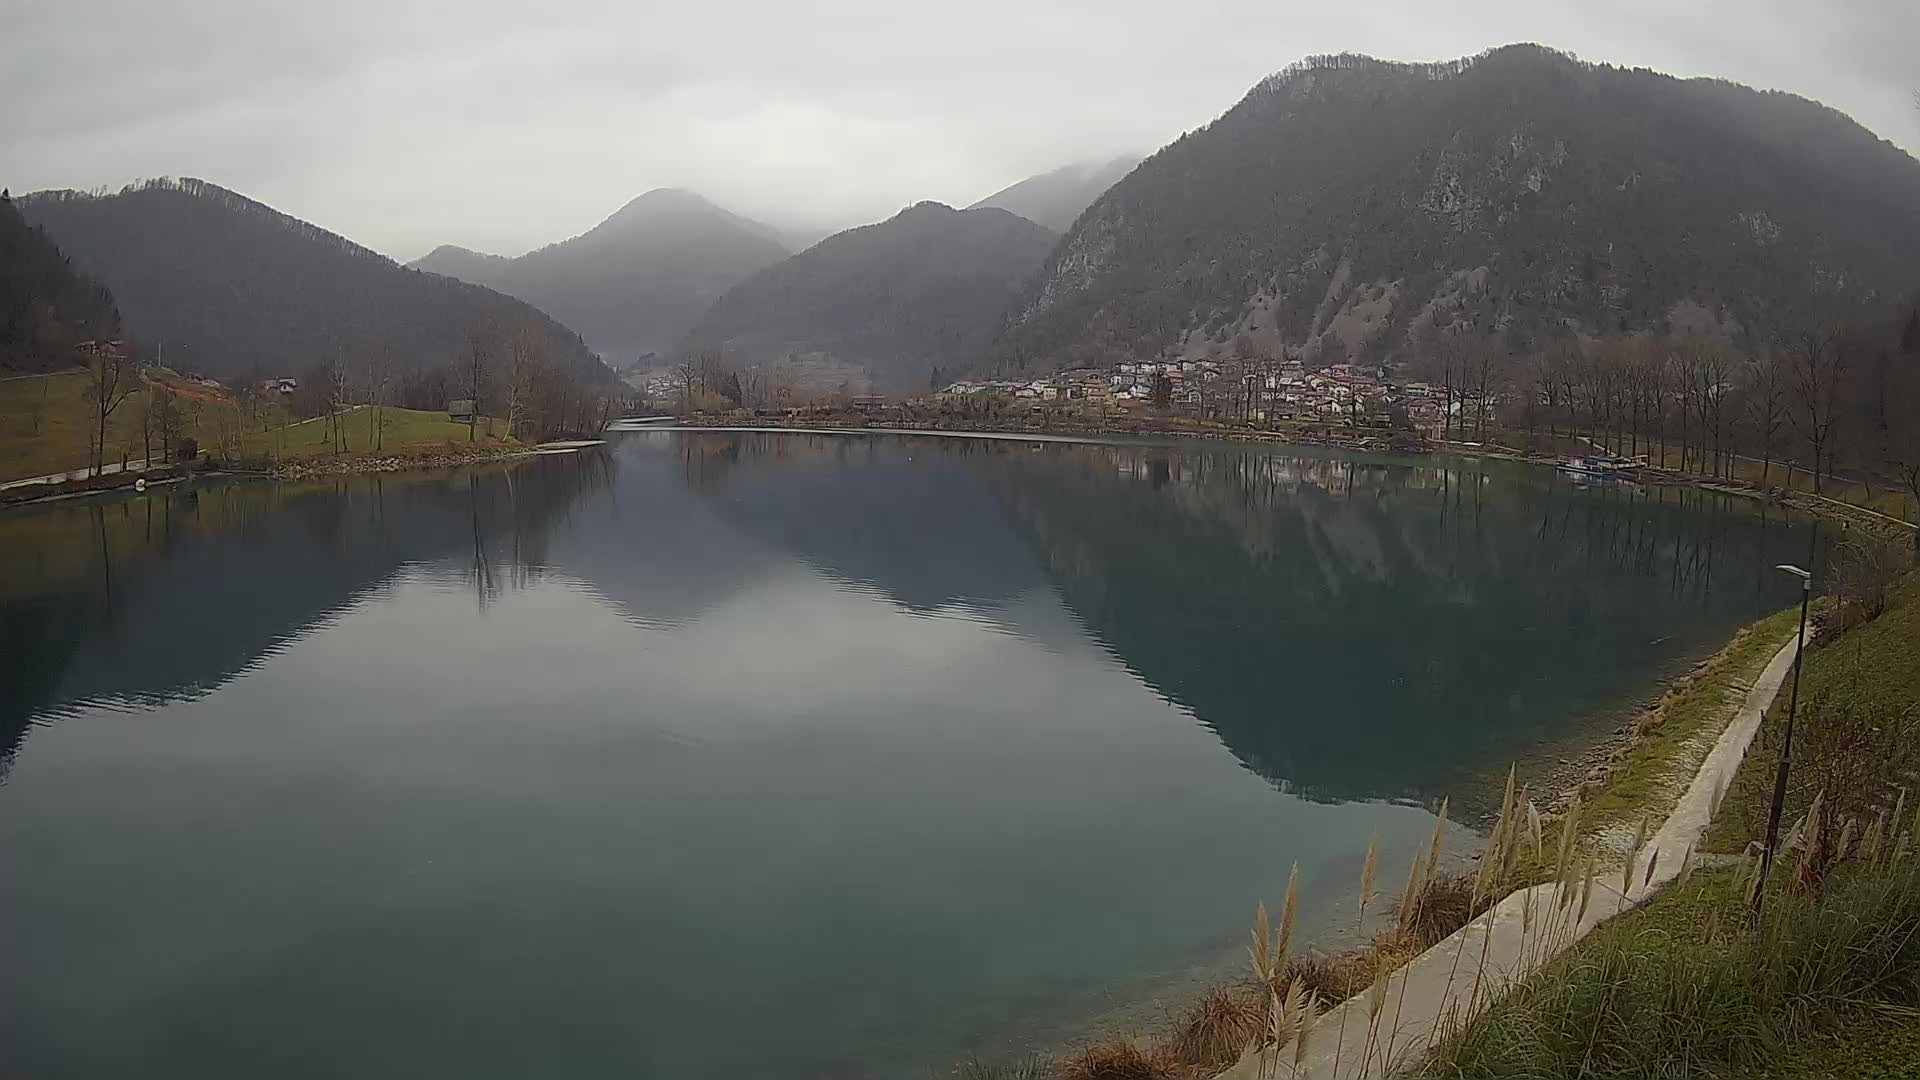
408,124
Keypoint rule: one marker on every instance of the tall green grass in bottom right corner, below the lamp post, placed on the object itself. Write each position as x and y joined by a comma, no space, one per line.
1689,985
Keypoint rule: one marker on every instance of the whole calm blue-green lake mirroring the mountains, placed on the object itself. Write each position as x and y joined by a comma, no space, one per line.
719,754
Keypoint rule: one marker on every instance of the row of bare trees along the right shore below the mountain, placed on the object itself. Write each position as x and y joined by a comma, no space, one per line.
1819,405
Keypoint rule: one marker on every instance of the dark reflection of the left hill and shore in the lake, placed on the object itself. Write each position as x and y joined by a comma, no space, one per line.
176,593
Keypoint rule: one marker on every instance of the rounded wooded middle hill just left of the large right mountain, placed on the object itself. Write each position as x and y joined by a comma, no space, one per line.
900,299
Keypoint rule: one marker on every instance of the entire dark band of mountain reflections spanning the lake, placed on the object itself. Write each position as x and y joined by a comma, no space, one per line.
1347,627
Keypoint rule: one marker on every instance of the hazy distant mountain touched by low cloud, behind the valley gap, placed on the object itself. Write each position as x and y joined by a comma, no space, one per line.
636,282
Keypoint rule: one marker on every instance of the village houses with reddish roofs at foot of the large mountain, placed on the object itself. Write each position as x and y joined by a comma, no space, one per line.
1226,389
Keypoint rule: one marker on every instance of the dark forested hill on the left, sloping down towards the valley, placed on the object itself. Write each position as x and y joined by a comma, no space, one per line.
226,285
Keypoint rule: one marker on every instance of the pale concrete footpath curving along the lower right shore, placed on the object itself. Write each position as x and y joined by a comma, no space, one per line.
1441,994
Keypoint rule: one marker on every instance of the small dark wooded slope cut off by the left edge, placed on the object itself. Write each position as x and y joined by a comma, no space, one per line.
45,305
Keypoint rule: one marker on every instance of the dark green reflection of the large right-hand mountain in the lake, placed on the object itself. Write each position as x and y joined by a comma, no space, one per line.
1378,627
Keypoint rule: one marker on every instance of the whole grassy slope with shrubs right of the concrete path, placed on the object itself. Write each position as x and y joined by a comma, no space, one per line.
1827,983
